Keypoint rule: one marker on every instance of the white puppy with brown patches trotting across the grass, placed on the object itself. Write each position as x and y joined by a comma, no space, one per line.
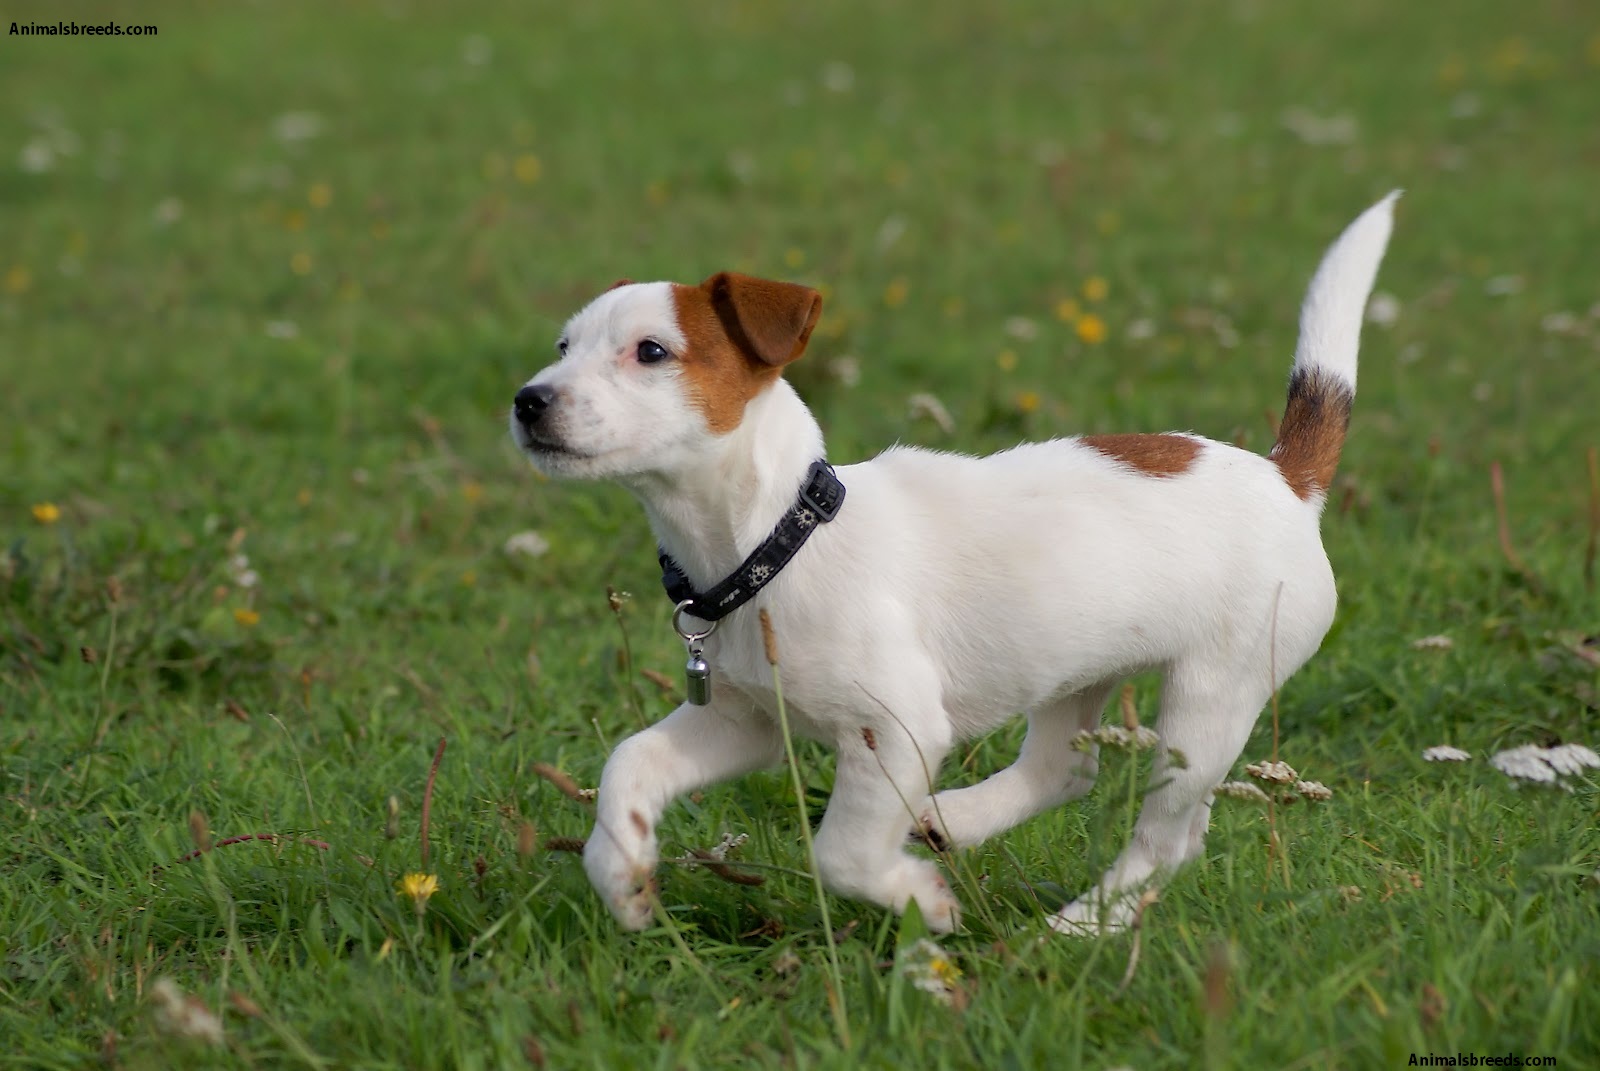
948,593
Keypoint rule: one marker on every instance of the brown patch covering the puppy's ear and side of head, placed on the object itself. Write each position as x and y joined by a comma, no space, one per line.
740,332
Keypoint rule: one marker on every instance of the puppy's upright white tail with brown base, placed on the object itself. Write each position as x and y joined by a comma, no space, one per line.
1322,385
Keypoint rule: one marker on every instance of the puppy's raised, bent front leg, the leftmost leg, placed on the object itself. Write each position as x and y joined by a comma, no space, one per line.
687,750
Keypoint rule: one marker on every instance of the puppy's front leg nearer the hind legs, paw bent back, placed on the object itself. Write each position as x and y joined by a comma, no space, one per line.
862,848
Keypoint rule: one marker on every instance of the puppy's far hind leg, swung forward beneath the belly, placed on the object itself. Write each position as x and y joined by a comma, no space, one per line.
1047,774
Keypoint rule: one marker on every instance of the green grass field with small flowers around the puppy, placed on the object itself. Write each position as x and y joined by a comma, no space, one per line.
225,337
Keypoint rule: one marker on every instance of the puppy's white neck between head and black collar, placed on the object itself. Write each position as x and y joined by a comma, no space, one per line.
714,510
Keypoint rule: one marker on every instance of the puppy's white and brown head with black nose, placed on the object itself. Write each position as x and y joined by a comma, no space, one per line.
652,374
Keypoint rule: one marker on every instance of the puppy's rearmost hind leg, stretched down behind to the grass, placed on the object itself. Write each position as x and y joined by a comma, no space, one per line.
1206,720
